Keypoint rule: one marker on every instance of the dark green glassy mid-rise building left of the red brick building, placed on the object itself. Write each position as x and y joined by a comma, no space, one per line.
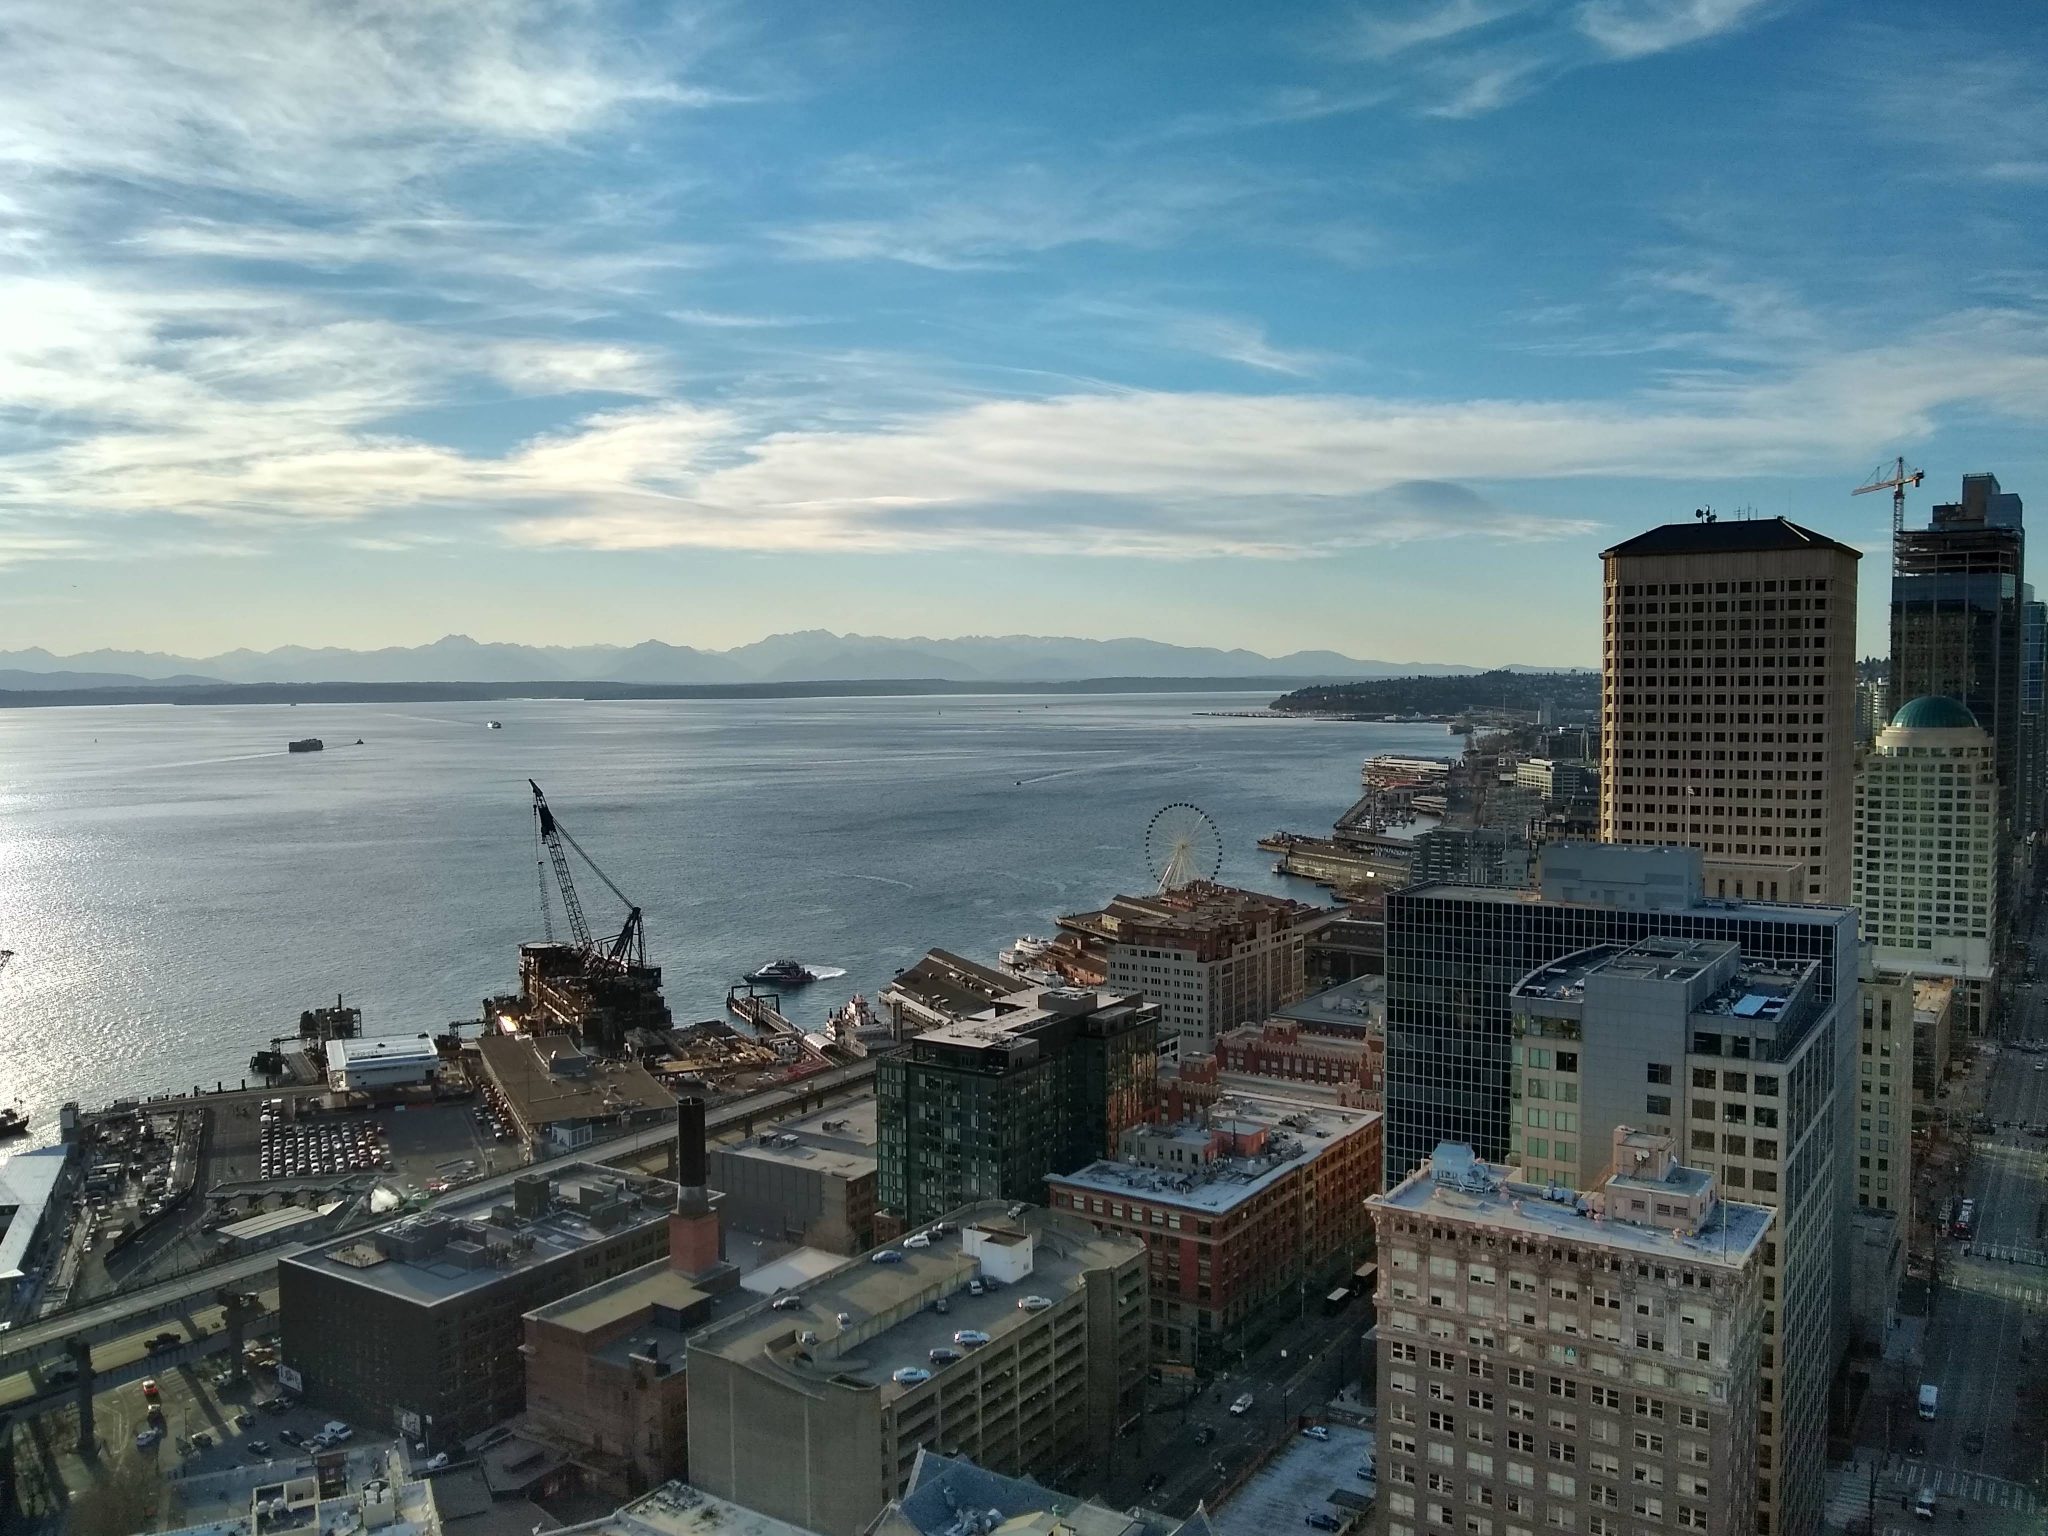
990,1107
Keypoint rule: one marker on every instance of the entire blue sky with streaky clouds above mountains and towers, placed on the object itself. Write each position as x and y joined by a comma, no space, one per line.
359,323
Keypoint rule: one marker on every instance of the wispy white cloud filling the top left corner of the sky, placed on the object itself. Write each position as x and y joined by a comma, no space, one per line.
325,101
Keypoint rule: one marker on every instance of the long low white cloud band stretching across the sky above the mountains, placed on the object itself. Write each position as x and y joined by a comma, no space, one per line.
1150,474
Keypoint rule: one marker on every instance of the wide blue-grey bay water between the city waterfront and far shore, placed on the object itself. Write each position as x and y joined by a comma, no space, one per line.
177,888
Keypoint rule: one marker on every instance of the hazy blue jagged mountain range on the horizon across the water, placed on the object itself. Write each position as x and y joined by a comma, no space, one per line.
806,656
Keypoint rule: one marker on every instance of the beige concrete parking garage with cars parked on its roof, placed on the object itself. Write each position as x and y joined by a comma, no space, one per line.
814,1408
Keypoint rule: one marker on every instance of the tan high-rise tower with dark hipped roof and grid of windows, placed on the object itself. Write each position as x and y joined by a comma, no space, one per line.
1730,703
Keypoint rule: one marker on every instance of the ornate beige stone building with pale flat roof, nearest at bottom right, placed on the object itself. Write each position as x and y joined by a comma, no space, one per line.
1568,1363
